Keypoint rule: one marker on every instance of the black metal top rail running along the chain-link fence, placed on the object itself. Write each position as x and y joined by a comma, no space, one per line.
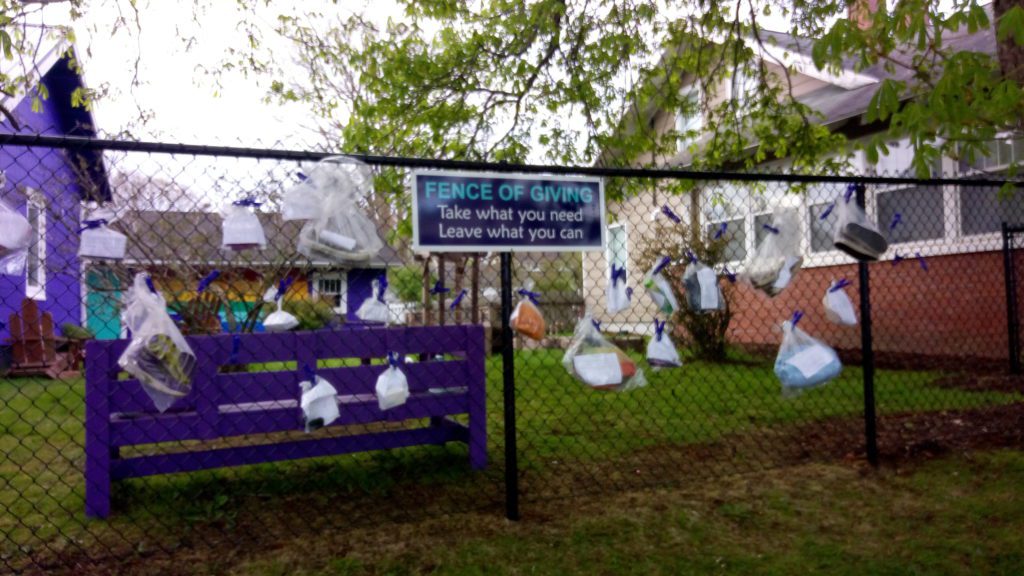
84,144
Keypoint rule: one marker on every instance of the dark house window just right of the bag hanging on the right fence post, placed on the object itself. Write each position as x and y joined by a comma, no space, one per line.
921,211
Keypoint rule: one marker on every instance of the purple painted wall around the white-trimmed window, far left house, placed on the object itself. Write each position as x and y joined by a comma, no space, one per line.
50,173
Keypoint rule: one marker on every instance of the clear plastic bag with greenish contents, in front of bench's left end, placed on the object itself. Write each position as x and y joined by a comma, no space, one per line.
158,355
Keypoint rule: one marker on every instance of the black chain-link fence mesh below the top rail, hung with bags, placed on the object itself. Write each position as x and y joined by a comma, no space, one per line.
937,372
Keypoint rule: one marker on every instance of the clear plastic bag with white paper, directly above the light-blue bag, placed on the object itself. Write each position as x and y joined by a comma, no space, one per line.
778,260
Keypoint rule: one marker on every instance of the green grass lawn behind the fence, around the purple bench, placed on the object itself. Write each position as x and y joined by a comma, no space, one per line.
41,439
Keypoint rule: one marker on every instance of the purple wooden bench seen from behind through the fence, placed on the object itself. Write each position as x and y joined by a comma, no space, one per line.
224,405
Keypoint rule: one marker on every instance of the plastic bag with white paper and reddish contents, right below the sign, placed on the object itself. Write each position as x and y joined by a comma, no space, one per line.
599,363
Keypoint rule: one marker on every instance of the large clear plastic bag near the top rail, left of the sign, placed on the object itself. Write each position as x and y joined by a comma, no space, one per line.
342,232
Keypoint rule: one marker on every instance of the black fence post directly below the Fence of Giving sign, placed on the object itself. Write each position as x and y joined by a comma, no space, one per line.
508,380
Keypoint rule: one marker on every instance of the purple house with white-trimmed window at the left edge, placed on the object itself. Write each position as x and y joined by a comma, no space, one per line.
49,186
